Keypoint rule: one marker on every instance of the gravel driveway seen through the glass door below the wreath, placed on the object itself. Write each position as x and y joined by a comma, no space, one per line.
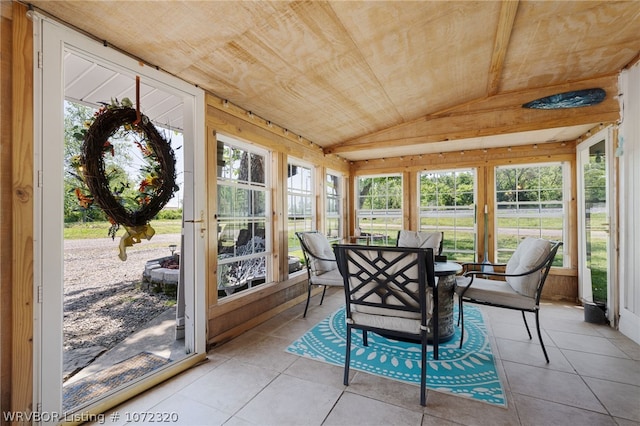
103,300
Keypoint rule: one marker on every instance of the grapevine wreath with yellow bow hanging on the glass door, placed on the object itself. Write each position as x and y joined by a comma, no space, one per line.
157,187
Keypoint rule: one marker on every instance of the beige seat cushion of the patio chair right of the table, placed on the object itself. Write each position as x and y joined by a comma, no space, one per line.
494,292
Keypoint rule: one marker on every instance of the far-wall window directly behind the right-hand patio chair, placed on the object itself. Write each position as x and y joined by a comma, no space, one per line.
530,202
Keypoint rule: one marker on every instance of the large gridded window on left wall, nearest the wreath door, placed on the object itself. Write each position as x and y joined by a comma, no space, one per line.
243,234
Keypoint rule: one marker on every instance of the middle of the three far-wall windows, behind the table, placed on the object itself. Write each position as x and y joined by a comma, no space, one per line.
447,204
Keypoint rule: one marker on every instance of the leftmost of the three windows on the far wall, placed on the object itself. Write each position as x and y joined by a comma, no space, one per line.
379,209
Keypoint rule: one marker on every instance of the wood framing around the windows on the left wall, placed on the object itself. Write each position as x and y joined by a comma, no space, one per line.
235,314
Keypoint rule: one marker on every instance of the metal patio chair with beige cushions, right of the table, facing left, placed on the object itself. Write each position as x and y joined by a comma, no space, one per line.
519,287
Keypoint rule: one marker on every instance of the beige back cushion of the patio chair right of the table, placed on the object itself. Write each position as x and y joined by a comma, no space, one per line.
528,255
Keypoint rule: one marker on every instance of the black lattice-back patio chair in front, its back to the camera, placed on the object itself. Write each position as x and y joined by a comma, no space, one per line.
390,291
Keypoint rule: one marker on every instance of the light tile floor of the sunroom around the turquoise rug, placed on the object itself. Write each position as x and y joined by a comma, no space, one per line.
593,379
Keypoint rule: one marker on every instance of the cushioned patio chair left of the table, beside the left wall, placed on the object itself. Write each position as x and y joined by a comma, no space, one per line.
322,268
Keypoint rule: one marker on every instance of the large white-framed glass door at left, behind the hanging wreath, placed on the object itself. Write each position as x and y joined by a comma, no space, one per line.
71,64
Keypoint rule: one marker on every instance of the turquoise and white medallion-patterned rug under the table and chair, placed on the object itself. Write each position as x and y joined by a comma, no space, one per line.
469,372
